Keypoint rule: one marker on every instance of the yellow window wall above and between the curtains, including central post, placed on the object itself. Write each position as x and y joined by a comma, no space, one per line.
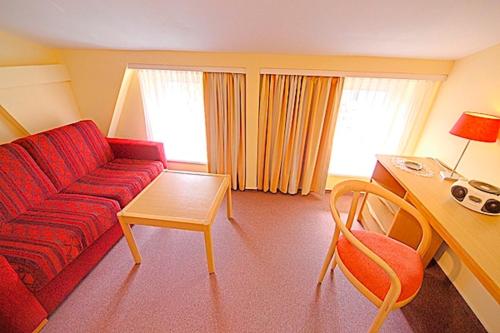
97,75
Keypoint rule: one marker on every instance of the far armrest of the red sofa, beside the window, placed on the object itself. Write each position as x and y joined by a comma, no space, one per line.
138,150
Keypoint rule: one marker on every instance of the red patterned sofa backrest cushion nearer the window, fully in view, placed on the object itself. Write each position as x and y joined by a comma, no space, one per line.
69,152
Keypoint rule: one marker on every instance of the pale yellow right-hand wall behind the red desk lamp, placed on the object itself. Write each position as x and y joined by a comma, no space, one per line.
473,85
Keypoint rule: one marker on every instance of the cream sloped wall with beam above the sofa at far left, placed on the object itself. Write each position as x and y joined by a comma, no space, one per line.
34,95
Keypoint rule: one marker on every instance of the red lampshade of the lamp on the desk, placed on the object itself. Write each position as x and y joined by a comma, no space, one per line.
477,126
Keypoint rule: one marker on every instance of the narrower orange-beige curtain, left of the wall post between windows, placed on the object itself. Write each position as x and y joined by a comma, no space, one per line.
224,98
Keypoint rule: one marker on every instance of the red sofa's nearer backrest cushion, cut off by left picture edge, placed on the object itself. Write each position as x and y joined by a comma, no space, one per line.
22,183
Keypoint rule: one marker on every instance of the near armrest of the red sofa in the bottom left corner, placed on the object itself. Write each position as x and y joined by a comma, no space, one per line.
20,311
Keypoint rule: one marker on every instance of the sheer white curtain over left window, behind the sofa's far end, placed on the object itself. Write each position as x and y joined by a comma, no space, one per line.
174,112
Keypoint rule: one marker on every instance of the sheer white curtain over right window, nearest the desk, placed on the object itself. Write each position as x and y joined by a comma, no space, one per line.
377,116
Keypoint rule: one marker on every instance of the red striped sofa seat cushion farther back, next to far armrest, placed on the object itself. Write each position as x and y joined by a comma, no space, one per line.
120,180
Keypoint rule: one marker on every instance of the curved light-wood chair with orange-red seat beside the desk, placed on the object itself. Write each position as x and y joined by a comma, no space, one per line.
388,272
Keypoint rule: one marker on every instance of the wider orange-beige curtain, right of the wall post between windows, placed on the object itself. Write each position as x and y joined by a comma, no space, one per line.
297,116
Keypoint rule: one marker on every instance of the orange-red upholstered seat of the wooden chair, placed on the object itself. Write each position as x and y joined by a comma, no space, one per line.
404,260
